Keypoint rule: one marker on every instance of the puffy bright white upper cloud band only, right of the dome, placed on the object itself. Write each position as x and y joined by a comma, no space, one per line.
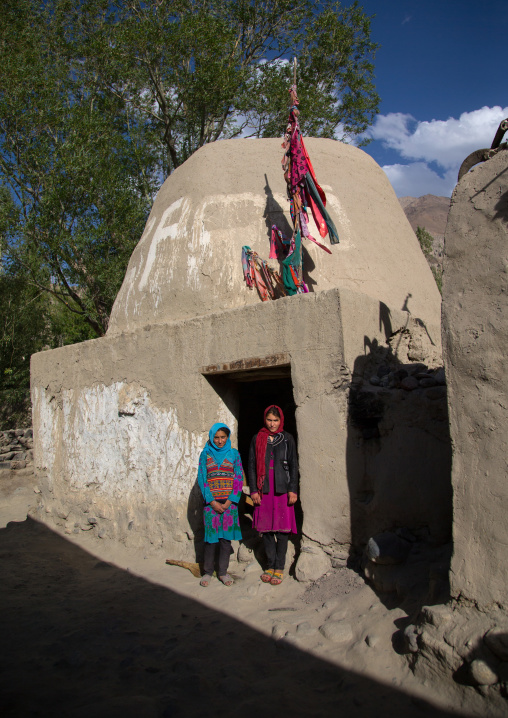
446,142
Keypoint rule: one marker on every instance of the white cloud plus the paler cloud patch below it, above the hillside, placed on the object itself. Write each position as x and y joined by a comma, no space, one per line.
445,142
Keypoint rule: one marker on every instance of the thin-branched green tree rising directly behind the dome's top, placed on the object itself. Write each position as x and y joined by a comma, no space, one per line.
202,70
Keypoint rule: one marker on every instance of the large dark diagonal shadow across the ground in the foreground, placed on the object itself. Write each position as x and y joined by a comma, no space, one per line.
83,637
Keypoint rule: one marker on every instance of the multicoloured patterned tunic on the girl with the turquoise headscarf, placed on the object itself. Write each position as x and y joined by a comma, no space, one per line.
220,483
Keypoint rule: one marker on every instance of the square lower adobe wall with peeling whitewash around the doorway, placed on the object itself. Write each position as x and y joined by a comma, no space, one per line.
120,421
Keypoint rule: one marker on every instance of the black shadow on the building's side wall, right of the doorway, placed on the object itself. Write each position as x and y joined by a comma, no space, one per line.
398,459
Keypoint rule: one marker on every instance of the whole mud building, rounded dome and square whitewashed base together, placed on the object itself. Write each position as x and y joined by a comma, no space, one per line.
119,422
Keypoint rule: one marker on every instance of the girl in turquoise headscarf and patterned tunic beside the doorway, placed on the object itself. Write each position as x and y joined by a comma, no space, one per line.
220,478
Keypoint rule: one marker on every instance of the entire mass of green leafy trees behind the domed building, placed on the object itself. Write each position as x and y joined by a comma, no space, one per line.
100,100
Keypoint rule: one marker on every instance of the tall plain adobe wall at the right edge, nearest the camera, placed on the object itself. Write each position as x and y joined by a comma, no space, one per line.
475,345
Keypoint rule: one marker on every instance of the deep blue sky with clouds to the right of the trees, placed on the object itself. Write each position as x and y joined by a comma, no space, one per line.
441,76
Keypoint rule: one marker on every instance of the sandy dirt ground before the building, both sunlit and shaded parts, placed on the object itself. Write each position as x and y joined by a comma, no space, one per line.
92,628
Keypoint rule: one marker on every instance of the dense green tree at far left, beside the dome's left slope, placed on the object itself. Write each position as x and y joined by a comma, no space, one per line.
75,170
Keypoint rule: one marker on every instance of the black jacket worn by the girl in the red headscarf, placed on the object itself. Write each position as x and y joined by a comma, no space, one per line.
284,480
